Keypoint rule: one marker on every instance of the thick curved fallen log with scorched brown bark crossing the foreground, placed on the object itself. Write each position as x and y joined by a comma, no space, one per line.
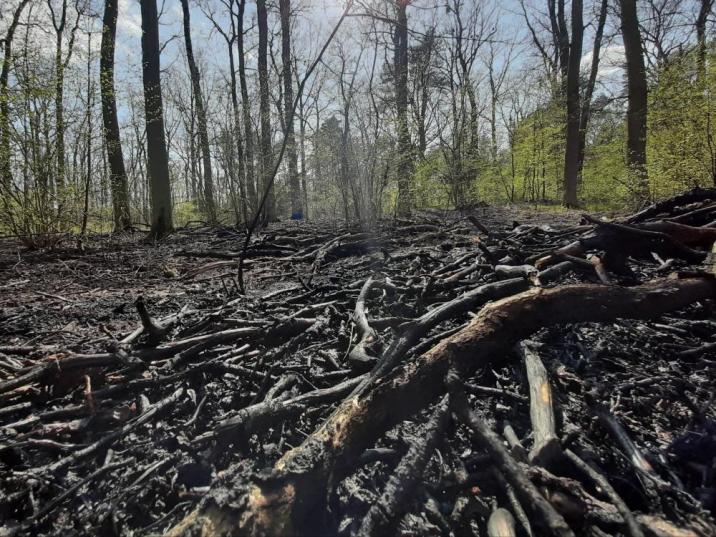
292,499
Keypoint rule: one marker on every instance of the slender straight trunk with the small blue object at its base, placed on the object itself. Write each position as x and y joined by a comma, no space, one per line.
291,157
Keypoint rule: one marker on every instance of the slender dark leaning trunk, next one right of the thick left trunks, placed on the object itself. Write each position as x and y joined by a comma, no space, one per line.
209,204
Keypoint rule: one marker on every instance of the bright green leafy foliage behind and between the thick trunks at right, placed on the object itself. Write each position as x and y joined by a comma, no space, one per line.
680,145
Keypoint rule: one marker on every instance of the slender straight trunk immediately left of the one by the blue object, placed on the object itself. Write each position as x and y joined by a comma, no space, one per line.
265,113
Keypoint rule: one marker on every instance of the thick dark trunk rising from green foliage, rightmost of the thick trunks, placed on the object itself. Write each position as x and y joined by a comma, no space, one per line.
637,105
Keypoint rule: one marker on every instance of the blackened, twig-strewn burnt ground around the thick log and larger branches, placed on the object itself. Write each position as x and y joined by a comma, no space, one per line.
129,441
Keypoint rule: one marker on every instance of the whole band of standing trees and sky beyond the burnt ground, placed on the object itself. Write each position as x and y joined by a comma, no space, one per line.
412,106
